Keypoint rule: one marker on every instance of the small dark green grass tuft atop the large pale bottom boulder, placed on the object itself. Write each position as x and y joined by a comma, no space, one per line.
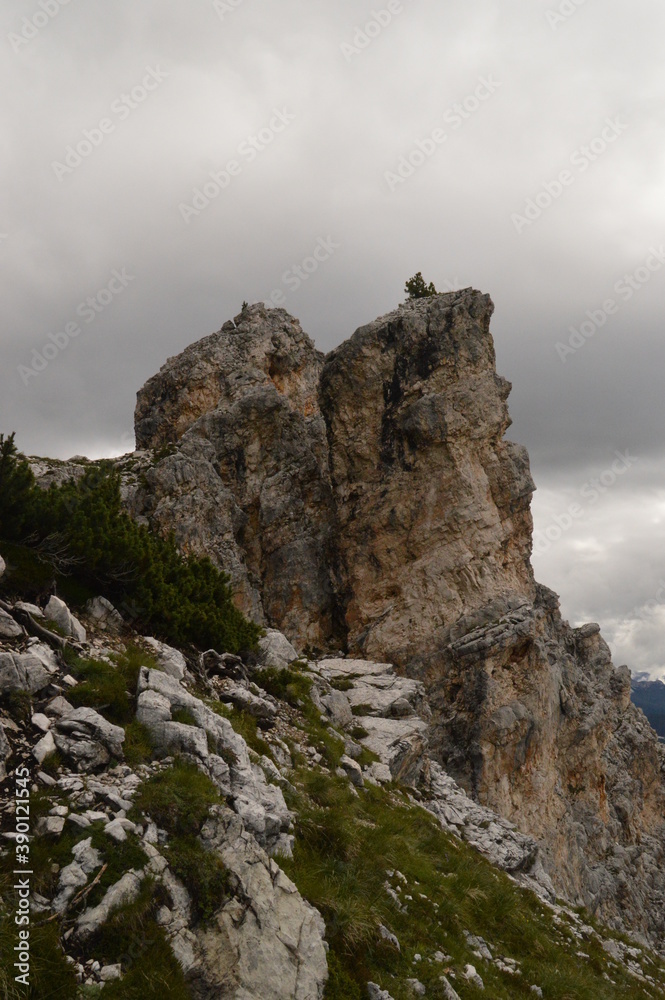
202,872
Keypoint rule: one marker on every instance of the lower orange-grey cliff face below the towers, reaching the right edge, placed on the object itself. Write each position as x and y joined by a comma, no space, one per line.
535,720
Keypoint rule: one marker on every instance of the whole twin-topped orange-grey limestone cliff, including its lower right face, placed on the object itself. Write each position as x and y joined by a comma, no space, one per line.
367,502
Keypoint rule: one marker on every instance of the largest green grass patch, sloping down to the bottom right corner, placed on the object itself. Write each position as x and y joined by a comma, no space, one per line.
345,844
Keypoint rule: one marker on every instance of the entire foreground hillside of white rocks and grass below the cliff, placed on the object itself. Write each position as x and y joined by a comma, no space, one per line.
267,827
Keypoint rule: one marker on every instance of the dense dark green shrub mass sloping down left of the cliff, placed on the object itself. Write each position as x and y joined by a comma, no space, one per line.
80,529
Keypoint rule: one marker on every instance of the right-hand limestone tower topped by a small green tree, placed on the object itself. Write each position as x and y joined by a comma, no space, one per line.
433,505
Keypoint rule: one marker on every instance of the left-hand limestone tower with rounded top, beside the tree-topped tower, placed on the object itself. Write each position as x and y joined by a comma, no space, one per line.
247,480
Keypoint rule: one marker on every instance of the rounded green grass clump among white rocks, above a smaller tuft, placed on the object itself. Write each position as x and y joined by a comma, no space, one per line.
177,799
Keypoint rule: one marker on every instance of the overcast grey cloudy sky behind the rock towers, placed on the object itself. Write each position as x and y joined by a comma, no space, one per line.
517,146
